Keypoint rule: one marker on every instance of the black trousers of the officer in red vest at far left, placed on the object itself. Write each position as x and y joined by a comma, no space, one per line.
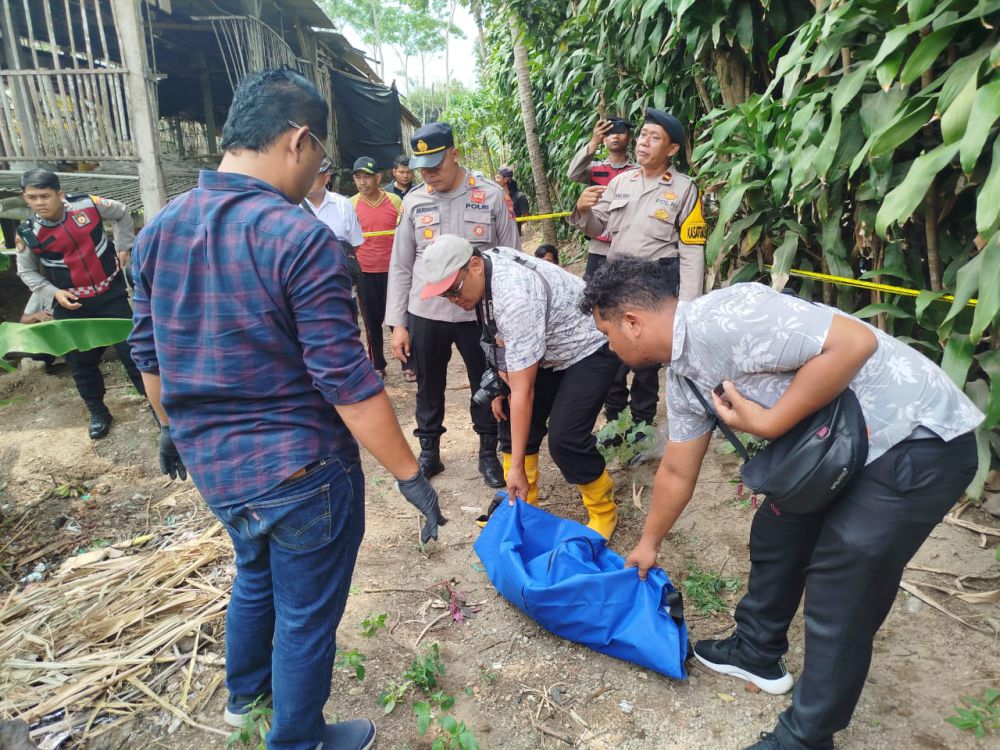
85,366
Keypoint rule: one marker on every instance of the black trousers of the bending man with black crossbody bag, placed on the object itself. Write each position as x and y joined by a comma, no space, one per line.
849,560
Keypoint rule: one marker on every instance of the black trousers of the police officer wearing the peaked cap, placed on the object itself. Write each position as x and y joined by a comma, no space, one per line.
430,348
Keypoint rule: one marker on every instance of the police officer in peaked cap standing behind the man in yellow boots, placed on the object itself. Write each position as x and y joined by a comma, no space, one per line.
452,201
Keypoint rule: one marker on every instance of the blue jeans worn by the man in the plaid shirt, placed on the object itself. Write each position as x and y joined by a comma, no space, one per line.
295,551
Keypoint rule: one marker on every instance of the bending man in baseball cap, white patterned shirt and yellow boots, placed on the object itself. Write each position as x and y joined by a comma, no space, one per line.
557,365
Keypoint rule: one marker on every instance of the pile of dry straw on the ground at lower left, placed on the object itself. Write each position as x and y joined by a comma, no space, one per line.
105,639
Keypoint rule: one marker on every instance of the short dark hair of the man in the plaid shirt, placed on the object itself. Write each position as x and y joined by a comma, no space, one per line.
265,102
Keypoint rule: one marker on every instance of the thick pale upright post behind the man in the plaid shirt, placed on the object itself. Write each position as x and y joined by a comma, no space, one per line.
132,41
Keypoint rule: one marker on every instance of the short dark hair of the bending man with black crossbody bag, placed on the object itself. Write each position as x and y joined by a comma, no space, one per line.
625,282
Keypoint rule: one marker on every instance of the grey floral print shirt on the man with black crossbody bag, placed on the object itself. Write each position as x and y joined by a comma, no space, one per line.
758,338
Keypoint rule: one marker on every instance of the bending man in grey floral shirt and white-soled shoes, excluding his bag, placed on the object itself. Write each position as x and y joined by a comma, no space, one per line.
780,359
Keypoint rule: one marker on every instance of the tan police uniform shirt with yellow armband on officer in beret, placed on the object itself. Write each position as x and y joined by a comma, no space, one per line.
652,219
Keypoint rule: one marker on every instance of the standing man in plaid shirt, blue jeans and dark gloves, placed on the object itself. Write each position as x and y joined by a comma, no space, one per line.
247,338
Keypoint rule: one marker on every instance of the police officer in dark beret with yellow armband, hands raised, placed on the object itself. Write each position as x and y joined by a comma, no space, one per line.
653,213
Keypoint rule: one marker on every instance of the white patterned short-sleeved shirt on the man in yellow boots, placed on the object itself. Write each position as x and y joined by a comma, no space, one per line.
539,321
